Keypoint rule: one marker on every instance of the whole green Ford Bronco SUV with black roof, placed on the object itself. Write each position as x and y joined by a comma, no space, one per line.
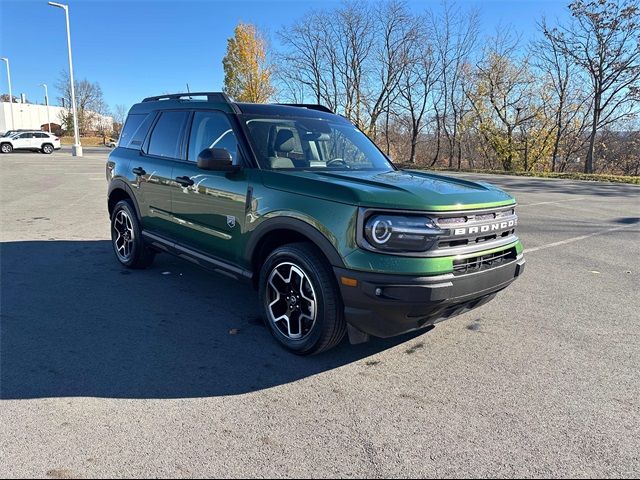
297,201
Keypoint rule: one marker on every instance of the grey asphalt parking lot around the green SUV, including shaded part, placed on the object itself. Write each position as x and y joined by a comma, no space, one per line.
108,372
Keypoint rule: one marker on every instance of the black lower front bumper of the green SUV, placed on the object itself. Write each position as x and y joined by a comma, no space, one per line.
386,305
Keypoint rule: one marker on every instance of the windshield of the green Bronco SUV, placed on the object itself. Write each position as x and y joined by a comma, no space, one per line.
293,143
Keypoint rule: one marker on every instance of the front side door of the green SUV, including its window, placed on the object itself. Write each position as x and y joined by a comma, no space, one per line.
210,211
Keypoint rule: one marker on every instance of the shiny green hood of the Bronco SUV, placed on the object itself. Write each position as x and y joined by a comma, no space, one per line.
397,189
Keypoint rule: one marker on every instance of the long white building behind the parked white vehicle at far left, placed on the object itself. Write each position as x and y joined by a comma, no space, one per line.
32,116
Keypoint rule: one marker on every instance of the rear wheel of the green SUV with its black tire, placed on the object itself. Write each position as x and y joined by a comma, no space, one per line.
126,237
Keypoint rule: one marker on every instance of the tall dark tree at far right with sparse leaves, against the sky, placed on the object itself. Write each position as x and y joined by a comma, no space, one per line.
604,40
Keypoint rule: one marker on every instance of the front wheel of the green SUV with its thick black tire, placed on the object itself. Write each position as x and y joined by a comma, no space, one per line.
328,326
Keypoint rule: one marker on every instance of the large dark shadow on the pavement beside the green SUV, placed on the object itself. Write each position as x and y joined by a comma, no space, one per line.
75,323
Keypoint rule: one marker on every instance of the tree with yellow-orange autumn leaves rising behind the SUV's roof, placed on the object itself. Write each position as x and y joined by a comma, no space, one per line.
247,73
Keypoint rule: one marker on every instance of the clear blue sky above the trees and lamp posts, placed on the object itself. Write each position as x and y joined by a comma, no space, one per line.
142,47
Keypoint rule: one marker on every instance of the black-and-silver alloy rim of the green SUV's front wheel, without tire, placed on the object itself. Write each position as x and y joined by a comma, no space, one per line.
291,301
